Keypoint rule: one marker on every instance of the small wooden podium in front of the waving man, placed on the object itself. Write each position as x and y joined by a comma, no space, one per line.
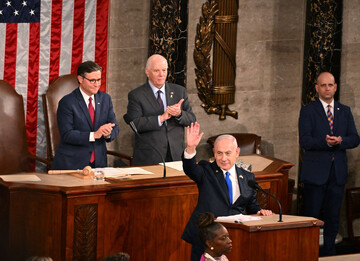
296,238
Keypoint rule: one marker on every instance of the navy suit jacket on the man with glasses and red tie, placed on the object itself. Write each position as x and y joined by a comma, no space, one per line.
74,150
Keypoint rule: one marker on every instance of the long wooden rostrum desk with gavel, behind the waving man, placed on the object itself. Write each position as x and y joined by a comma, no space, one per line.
72,219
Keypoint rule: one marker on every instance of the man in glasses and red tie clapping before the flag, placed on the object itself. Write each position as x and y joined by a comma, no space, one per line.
86,121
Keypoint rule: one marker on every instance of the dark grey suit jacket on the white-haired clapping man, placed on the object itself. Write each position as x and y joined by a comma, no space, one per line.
143,109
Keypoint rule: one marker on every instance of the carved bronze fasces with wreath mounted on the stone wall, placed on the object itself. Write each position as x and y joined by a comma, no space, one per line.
216,29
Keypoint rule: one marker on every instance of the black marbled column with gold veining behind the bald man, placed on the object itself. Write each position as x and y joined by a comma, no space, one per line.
322,44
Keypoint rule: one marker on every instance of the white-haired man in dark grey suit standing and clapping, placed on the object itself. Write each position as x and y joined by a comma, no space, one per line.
160,111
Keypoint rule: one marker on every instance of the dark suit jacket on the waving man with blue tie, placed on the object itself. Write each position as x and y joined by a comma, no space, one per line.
214,196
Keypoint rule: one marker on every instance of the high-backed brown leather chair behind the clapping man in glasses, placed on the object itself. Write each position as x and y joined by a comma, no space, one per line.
59,88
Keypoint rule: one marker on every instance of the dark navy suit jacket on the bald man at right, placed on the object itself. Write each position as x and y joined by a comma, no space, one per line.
313,127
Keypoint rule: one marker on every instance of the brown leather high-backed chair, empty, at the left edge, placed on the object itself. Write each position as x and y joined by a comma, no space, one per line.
14,154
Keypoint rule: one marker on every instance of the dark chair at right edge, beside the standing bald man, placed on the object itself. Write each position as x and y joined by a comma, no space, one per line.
353,211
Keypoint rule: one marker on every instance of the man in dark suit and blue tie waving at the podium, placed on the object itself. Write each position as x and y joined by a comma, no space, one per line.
223,187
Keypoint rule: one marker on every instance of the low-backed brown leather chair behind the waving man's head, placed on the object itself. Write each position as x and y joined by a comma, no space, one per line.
249,143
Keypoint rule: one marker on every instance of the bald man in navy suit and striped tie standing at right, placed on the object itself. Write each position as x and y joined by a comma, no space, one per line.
326,130
